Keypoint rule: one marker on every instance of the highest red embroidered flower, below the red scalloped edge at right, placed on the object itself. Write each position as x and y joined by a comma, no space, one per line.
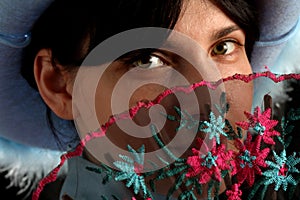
261,124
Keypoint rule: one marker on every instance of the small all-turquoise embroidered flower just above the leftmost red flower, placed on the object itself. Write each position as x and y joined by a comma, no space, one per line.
215,127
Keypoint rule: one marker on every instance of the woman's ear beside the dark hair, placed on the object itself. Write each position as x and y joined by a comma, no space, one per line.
53,84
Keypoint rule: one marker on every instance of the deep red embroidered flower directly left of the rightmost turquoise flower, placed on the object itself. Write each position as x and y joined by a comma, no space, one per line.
249,159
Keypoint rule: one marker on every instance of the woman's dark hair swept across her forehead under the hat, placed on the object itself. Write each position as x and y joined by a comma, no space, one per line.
67,25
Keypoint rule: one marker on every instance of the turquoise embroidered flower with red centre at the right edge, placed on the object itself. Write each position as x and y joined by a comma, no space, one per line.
280,174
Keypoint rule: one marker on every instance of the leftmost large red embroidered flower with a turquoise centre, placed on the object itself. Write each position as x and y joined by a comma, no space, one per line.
207,164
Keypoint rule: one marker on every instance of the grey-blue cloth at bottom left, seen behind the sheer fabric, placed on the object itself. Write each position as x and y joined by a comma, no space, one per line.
81,183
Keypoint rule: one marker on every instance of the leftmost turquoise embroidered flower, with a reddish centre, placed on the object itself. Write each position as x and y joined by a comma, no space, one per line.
130,170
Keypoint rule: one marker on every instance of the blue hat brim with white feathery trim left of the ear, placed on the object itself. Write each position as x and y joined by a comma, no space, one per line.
28,147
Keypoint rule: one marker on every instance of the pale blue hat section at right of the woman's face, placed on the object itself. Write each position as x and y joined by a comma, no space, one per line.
278,19
